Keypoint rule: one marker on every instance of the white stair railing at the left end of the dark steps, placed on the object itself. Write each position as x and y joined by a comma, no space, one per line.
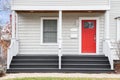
12,51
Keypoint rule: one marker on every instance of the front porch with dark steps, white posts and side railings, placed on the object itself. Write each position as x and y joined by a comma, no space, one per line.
28,40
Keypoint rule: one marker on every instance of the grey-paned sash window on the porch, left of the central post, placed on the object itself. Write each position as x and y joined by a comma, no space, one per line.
49,30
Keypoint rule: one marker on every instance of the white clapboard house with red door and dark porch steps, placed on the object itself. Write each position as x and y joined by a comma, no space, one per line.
66,30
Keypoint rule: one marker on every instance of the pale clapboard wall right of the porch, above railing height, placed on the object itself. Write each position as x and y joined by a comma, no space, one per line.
114,12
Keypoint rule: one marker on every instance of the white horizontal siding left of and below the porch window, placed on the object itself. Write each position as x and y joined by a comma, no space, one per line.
29,35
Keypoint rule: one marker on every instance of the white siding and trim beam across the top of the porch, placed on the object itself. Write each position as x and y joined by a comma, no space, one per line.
60,5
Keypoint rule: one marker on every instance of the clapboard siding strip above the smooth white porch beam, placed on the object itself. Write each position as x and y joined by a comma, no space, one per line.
59,2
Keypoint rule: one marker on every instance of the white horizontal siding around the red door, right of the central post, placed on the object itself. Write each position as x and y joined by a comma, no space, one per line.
71,46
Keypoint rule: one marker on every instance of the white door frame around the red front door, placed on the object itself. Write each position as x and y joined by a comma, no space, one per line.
97,34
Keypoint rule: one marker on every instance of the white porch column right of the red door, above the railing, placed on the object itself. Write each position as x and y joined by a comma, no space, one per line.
107,29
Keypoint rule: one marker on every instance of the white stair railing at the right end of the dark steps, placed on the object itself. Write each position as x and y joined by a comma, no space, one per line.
108,51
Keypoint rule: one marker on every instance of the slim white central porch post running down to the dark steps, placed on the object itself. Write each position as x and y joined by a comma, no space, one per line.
60,37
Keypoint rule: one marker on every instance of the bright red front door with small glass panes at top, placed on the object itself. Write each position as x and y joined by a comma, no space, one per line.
88,36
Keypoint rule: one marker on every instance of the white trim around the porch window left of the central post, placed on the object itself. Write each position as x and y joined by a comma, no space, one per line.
48,18
